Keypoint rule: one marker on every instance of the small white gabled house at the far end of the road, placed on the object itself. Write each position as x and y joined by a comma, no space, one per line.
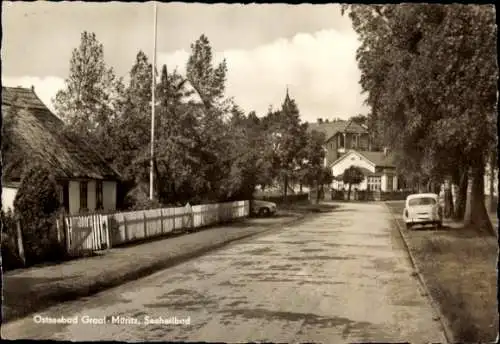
378,168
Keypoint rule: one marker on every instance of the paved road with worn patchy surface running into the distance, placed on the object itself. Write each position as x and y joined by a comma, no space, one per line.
343,276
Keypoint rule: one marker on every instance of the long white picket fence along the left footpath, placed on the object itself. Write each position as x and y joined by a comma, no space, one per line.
93,232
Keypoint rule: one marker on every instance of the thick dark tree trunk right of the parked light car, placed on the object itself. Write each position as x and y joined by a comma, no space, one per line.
477,216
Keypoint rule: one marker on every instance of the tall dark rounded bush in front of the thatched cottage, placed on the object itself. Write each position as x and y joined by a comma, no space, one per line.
37,205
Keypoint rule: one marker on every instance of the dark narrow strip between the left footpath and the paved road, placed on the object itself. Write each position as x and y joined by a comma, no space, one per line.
61,294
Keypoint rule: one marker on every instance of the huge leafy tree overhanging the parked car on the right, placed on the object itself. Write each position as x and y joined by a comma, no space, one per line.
430,76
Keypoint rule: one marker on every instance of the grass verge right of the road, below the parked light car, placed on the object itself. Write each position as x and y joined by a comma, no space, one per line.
459,267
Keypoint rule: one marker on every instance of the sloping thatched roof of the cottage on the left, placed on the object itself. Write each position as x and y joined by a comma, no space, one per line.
32,133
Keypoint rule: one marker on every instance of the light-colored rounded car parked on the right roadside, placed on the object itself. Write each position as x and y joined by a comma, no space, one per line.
423,209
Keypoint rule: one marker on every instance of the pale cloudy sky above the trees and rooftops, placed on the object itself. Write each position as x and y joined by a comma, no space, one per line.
308,48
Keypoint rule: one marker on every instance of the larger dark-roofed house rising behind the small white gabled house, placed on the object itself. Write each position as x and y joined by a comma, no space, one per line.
341,136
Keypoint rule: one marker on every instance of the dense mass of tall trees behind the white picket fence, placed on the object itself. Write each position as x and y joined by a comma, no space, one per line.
206,147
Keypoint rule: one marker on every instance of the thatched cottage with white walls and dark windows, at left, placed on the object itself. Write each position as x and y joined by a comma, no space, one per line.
33,133
